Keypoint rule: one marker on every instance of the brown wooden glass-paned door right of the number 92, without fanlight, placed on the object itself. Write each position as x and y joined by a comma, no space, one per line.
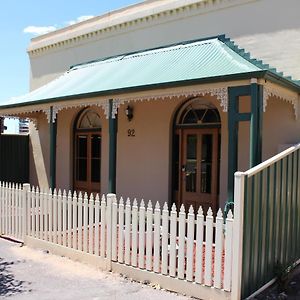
199,168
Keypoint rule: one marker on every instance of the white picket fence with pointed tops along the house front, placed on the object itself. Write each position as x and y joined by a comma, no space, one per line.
182,246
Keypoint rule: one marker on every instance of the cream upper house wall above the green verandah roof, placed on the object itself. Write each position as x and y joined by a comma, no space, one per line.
269,29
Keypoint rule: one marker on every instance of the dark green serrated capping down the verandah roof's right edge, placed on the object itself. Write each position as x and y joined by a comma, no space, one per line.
257,62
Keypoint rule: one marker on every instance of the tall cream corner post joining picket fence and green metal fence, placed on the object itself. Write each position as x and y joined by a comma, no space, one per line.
238,223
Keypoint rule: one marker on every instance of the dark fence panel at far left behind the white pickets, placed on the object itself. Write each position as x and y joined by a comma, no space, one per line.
14,158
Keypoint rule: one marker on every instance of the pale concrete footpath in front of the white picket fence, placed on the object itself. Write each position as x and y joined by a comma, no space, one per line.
32,274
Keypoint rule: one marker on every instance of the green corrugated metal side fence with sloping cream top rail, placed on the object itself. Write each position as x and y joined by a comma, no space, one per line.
271,219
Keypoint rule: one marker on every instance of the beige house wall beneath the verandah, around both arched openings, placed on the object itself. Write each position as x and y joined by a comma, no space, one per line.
144,161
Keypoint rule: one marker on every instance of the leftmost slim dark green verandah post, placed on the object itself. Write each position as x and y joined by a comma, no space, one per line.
53,133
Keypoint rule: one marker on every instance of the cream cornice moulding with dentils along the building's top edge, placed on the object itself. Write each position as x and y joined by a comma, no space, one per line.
121,20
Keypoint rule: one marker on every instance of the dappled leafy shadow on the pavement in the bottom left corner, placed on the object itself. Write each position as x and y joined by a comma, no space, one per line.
8,284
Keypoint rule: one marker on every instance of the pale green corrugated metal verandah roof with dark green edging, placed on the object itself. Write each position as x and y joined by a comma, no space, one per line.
214,58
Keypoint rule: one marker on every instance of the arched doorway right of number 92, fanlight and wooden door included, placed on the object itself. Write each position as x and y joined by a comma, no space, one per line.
197,155
